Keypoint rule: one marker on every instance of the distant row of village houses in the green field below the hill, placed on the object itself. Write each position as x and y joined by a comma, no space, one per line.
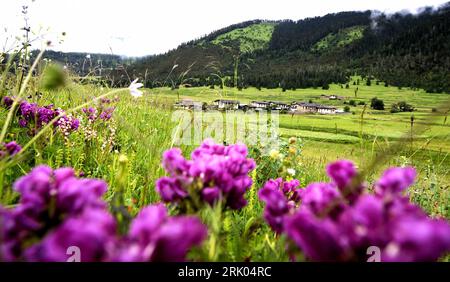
293,108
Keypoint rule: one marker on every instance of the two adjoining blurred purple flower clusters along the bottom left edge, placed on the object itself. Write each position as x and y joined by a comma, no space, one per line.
58,211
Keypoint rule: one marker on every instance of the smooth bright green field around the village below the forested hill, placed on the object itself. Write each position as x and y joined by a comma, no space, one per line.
353,135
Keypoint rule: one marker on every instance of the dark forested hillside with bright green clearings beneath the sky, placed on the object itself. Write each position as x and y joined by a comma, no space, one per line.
403,50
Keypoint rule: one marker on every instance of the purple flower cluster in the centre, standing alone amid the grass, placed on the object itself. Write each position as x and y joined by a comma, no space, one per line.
215,172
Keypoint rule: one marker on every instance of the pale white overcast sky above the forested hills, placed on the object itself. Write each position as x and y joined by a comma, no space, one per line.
138,27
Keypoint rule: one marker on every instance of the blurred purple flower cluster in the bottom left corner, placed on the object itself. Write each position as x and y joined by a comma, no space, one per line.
48,199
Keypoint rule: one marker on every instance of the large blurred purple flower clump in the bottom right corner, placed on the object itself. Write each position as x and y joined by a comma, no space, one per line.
339,221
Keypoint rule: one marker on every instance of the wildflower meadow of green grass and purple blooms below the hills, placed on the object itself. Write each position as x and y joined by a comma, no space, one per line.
94,172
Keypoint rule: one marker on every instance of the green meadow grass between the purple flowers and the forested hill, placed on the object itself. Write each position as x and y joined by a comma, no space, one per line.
126,151
